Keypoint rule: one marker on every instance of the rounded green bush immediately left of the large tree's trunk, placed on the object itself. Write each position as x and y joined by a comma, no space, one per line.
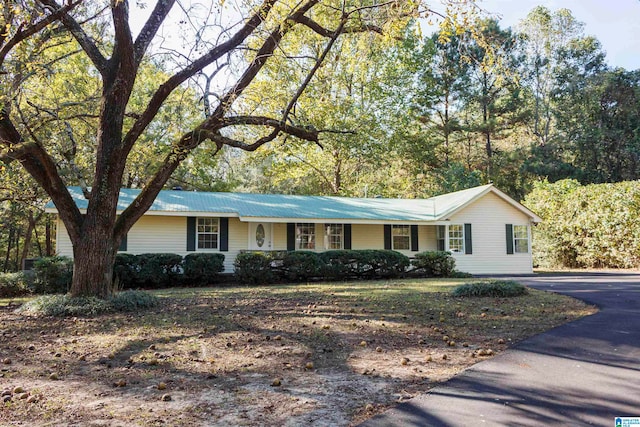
52,275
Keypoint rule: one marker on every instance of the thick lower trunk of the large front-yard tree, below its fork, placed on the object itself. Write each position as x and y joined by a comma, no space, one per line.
93,259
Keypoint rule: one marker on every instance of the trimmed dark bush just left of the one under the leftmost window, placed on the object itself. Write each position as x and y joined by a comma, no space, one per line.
160,270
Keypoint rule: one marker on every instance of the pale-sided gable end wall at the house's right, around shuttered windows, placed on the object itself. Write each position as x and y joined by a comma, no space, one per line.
488,217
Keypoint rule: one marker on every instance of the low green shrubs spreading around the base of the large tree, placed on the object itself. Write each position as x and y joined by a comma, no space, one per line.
64,305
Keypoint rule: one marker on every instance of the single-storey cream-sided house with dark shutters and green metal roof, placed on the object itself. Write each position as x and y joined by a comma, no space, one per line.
486,231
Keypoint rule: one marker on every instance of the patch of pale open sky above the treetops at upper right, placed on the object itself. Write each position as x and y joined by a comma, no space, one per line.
615,23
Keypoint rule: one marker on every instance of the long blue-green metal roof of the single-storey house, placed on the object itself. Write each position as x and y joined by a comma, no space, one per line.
275,206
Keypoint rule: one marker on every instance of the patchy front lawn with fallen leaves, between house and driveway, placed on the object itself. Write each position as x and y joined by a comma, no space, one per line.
315,354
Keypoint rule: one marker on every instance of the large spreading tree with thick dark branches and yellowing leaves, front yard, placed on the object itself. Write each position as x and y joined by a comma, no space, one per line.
230,44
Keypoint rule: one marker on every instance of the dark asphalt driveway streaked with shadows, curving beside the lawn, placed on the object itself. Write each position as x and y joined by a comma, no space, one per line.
584,373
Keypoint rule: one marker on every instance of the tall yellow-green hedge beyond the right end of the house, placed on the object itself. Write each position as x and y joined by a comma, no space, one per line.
592,226
